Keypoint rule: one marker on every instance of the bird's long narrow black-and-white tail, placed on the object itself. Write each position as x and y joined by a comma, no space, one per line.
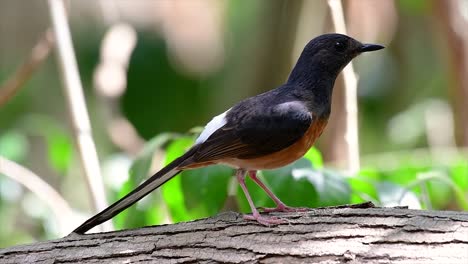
134,196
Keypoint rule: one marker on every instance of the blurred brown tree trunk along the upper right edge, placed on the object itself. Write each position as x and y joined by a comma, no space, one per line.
455,25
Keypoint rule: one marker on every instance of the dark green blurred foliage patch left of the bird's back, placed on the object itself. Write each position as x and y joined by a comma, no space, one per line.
151,84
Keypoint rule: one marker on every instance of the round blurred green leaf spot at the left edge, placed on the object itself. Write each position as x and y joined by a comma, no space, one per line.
13,145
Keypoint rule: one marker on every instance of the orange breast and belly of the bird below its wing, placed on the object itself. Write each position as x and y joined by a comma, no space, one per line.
285,156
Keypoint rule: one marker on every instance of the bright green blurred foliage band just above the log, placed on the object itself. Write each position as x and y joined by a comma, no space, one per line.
203,192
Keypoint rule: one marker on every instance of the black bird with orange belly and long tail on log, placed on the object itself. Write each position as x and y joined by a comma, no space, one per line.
266,131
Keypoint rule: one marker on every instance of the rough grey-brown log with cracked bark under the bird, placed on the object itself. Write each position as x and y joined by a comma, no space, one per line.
329,235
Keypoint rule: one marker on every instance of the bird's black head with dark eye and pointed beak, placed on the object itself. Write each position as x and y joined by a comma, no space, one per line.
328,54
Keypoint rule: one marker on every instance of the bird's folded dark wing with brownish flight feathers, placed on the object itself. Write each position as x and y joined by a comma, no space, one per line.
249,134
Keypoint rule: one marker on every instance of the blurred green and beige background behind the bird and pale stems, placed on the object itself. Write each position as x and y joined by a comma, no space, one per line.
154,72
